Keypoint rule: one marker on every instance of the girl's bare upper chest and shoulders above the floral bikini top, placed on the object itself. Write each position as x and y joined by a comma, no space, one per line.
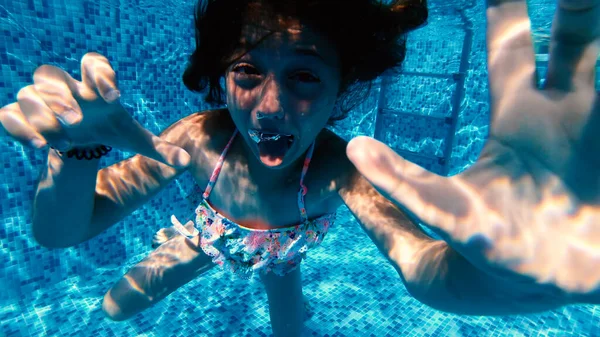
237,196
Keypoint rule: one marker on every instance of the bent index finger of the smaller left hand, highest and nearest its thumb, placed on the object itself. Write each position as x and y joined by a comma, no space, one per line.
98,75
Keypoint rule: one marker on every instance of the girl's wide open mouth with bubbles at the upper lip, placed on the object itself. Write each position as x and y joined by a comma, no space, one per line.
272,146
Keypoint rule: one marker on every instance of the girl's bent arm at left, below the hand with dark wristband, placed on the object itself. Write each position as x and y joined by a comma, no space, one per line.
74,202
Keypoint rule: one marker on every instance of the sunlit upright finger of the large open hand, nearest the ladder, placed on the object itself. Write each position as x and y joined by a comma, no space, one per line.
511,59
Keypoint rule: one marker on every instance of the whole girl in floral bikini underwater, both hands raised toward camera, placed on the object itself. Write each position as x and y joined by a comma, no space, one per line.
287,69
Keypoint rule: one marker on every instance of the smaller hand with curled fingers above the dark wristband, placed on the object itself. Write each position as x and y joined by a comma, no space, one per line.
65,113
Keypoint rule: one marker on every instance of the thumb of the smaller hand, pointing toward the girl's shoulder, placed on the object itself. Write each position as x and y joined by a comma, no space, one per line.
139,140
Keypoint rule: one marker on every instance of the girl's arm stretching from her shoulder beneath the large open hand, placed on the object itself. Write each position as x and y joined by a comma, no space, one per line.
433,272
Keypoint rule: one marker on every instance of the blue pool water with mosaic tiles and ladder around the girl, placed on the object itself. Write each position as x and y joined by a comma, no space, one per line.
434,114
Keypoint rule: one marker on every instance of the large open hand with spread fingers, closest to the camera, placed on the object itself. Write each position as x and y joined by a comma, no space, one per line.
530,205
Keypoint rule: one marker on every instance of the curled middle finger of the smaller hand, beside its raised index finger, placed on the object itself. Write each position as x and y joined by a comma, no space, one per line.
52,86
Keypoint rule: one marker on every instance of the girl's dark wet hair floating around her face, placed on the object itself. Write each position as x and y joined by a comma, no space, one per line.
370,38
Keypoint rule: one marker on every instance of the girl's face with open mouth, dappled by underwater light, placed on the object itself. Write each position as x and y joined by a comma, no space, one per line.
282,93
